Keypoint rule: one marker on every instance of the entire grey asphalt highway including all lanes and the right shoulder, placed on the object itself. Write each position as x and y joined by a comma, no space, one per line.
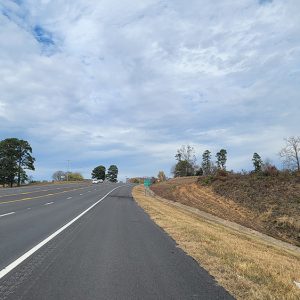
83,241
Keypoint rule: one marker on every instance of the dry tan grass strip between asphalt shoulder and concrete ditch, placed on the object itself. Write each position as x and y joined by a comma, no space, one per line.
246,266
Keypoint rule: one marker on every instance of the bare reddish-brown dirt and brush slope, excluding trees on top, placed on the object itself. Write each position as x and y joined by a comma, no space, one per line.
271,206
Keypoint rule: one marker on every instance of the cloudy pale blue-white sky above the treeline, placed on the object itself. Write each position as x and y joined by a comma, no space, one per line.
128,82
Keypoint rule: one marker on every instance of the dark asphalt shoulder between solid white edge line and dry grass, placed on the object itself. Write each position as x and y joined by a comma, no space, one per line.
114,251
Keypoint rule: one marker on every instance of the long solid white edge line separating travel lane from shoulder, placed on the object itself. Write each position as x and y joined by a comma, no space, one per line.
19,260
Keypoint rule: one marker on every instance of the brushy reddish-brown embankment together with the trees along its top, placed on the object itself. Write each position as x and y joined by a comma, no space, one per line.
266,198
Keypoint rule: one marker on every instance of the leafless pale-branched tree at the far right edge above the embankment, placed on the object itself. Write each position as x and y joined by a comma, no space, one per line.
290,154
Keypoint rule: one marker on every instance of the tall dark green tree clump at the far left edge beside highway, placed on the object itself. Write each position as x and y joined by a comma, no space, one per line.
15,158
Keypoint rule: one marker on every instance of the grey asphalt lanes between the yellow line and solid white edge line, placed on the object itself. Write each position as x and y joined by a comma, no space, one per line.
35,219
